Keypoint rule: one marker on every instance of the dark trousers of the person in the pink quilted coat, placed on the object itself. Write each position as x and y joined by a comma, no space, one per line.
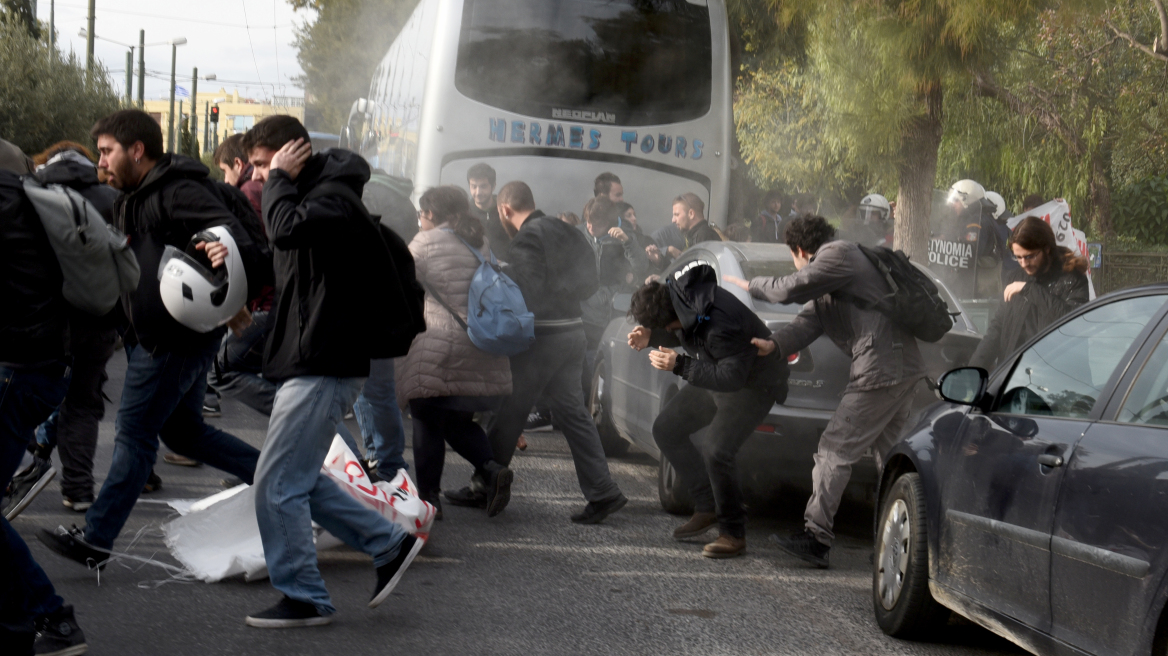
435,427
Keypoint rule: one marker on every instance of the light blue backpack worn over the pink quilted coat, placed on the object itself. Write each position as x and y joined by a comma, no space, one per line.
497,319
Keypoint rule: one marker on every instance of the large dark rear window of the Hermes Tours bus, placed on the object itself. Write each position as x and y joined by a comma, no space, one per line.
628,62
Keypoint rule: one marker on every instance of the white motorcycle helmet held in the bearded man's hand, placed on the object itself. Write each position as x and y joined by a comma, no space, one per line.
197,296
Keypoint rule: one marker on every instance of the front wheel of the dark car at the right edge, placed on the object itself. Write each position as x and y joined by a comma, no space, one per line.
905,606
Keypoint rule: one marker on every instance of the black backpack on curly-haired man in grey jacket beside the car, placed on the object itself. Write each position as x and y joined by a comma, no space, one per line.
915,304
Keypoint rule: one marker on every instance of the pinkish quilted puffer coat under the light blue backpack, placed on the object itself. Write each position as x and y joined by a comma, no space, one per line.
443,362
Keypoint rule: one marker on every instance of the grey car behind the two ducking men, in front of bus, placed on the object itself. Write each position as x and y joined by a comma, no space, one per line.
628,394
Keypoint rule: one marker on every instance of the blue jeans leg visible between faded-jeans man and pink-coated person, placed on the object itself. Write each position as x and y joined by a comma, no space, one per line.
381,421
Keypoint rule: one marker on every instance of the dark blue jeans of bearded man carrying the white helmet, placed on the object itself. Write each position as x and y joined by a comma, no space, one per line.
163,399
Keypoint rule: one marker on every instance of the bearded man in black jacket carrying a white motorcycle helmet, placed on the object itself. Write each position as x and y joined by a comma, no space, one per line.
164,203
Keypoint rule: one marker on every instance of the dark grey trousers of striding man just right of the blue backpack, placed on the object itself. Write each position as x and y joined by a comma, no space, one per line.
552,368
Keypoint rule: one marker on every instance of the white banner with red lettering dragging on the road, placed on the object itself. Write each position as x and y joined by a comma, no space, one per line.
218,538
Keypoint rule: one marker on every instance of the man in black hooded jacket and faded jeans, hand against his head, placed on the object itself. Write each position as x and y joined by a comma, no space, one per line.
339,304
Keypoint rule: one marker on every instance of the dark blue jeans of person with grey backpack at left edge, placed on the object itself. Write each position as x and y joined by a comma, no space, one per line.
27,397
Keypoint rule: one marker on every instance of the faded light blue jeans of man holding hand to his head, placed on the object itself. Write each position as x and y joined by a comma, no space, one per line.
291,492
